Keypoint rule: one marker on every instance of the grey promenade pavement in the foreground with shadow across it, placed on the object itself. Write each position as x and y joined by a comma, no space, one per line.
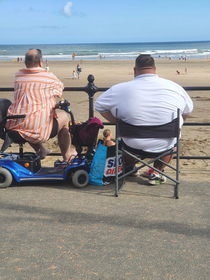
56,231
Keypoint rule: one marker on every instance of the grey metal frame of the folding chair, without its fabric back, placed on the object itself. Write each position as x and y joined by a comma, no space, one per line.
148,163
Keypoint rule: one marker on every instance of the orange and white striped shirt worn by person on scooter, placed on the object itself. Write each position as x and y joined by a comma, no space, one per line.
34,96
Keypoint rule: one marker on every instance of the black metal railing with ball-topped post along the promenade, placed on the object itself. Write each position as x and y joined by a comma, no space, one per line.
91,89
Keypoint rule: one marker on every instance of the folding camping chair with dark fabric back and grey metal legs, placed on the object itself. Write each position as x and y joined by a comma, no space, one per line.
167,130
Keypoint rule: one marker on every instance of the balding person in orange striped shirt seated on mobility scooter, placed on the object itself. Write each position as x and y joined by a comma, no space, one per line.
34,96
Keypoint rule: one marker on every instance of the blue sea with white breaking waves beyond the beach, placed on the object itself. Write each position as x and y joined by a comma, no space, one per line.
110,51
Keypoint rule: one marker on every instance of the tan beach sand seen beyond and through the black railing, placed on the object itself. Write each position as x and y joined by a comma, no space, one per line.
195,139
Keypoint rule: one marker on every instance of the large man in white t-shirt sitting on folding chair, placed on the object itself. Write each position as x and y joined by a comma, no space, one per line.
146,100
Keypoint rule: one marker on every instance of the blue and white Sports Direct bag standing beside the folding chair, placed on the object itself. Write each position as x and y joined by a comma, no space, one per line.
103,166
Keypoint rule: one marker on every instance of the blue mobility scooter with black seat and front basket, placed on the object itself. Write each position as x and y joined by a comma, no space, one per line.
26,166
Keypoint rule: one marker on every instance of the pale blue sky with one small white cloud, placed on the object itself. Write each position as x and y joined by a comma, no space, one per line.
103,21
